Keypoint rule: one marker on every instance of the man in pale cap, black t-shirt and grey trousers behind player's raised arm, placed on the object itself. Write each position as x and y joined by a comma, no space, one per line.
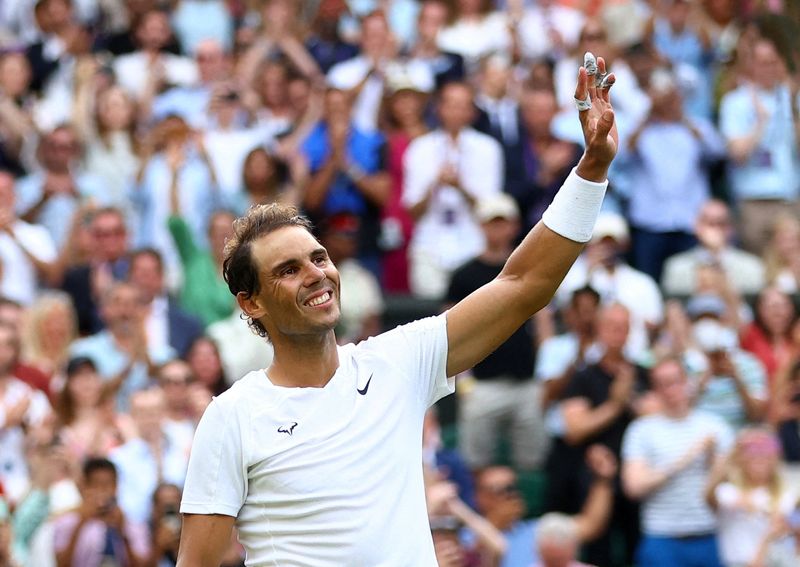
504,402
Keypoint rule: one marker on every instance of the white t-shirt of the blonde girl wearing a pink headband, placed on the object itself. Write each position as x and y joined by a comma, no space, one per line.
745,522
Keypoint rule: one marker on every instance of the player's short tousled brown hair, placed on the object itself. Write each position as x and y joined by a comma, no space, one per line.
239,268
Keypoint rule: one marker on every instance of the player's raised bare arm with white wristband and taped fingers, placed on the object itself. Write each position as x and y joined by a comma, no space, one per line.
480,323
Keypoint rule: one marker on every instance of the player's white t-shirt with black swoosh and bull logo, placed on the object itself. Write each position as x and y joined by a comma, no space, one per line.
332,475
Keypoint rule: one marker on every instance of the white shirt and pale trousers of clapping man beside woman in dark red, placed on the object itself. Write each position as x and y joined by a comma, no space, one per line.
447,234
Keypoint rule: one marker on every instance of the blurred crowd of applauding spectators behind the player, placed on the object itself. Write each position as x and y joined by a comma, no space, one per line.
655,402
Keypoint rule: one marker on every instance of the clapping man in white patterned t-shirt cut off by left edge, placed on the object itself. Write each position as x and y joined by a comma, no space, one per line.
23,409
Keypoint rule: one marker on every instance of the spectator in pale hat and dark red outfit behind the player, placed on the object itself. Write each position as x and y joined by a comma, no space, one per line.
404,116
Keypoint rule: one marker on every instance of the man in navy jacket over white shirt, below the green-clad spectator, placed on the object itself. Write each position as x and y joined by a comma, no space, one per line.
166,324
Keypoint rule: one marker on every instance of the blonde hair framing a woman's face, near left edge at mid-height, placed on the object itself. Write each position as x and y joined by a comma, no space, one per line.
33,348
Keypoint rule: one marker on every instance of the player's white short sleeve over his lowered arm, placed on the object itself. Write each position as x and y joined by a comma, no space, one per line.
216,480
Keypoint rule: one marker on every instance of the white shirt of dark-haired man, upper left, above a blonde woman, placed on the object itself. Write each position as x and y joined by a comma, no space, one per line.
132,70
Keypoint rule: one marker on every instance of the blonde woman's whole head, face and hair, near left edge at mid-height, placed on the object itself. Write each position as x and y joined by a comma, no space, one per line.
50,328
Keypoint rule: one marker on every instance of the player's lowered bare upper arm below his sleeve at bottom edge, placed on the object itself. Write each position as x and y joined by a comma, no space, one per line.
204,539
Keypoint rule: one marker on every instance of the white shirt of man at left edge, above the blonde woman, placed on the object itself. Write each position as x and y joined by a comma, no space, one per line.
18,280
